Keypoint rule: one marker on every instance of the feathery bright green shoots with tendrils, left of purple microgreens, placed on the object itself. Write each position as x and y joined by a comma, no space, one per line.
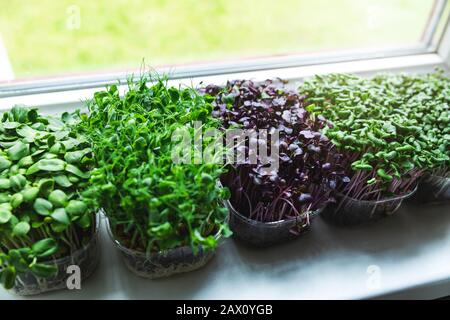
152,203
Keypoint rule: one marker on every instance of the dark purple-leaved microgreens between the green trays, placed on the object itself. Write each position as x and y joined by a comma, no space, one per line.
309,165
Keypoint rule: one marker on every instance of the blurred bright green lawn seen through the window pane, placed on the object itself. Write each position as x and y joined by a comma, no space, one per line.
49,37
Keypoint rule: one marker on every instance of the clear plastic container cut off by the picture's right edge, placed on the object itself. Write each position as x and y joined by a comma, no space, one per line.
433,190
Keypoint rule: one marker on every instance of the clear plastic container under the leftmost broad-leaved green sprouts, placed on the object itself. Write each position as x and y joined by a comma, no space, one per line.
86,259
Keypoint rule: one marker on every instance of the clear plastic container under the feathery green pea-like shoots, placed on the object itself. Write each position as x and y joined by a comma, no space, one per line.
164,263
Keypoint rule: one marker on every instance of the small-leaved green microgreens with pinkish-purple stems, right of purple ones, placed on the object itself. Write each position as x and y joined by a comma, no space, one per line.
391,128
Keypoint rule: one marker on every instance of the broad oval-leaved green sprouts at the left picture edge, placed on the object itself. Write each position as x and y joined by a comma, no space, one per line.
44,168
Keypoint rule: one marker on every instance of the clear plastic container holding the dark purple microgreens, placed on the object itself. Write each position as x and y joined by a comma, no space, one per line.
264,234
